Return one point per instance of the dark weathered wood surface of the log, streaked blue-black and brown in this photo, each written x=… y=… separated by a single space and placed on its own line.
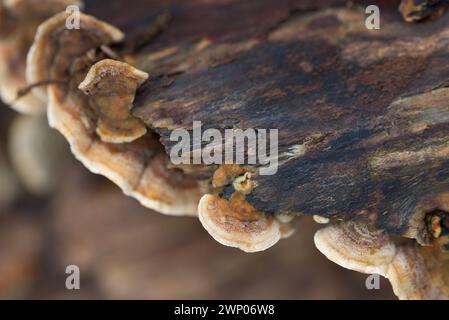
x=368 y=106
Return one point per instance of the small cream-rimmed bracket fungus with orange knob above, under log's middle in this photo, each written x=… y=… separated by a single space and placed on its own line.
x=236 y=223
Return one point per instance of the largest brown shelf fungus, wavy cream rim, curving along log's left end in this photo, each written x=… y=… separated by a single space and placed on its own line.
x=124 y=152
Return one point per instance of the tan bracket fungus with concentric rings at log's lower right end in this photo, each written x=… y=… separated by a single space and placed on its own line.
x=414 y=271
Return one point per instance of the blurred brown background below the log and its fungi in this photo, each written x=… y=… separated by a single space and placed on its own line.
x=125 y=251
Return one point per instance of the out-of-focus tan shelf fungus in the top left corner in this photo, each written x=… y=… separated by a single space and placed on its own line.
x=19 y=20
